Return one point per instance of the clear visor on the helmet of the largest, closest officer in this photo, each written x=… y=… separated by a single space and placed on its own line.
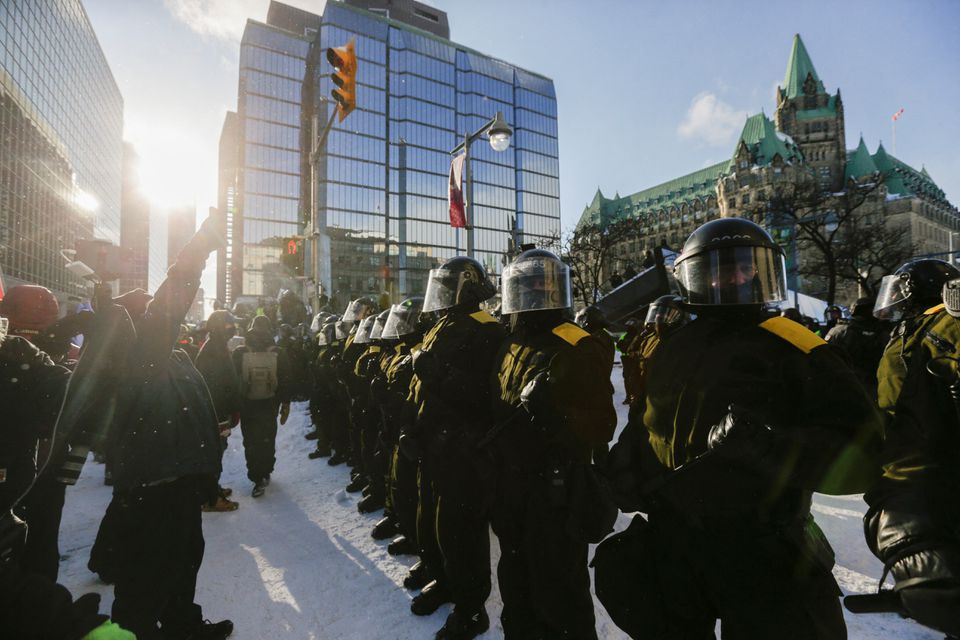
x=733 y=275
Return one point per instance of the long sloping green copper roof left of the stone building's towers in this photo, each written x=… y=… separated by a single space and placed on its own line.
x=700 y=185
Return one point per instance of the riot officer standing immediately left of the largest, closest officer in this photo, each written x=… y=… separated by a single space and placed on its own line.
x=553 y=405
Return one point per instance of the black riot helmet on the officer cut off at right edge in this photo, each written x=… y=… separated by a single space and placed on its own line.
x=914 y=287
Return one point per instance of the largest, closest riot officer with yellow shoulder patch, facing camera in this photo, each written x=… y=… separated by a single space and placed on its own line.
x=746 y=416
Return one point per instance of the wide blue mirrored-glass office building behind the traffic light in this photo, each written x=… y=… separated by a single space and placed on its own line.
x=374 y=203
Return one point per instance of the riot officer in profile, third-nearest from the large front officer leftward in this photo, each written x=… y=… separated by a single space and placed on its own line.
x=450 y=387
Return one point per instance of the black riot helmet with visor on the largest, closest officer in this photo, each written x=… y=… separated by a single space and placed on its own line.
x=731 y=262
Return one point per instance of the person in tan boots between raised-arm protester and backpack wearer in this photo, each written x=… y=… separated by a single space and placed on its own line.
x=215 y=365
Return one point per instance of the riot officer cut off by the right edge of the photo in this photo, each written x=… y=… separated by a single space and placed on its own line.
x=913 y=524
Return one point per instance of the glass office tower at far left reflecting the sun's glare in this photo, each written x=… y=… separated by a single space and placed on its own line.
x=61 y=125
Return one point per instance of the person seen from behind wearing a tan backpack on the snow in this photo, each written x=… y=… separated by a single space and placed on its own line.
x=265 y=380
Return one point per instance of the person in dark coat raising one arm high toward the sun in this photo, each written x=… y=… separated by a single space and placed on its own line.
x=165 y=448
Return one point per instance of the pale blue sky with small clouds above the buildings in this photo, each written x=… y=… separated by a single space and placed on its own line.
x=647 y=90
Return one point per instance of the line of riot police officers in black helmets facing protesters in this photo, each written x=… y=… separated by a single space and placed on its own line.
x=455 y=423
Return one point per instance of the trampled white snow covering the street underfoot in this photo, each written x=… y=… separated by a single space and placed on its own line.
x=300 y=563
